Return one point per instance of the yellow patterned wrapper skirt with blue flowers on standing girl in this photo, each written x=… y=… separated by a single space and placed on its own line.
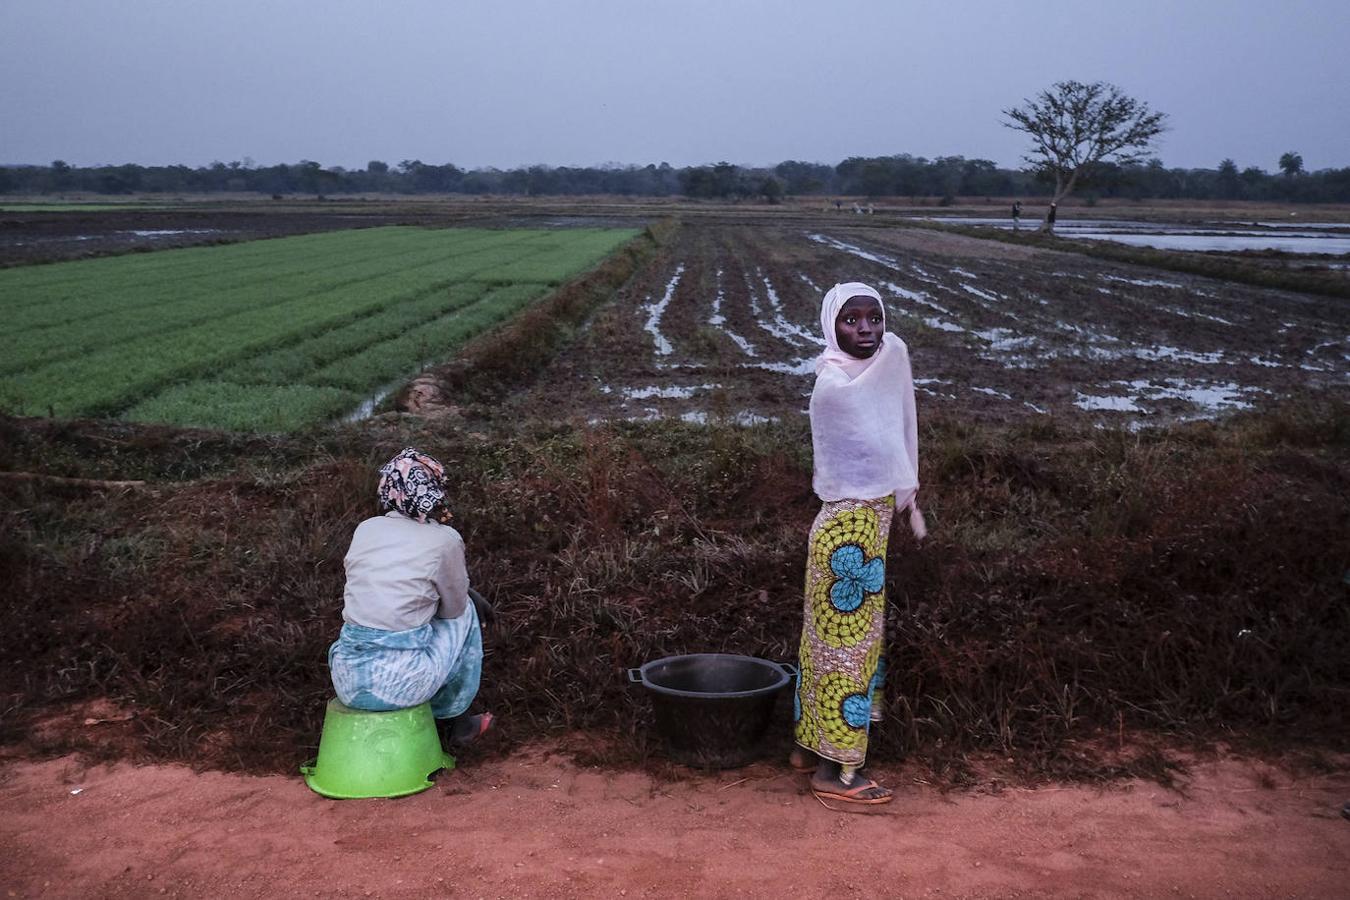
x=840 y=660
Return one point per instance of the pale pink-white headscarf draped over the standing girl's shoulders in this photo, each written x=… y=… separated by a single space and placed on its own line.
x=865 y=430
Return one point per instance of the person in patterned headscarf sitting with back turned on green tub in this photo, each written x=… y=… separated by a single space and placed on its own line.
x=411 y=629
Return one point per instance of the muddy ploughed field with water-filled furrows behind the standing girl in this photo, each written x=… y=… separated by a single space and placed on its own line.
x=726 y=327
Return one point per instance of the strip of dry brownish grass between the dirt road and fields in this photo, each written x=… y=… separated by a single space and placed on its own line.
x=1079 y=585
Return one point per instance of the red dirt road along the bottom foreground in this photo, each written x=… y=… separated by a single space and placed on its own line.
x=537 y=826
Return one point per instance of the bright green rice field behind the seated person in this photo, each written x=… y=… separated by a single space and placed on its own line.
x=269 y=335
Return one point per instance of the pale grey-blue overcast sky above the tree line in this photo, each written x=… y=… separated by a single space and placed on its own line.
x=510 y=83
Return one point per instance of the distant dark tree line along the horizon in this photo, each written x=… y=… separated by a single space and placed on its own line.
x=900 y=176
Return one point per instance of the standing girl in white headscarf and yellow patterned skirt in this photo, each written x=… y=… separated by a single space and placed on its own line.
x=865 y=435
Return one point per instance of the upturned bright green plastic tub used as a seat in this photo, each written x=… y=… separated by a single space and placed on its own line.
x=376 y=755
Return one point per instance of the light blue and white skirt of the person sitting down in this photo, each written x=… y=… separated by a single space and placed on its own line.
x=441 y=662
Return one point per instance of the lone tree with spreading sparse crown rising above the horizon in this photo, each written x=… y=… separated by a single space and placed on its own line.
x=1075 y=128
